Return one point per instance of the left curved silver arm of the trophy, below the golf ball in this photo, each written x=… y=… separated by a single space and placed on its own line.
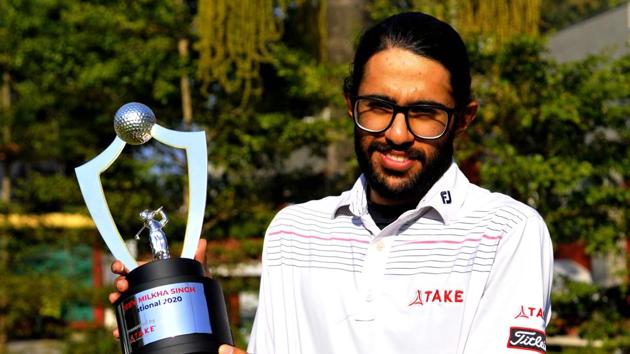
x=89 y=179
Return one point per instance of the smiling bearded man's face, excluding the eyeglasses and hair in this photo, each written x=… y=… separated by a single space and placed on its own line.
x=400 y=167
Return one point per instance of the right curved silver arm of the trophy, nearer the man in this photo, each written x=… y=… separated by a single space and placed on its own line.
x=197 y=160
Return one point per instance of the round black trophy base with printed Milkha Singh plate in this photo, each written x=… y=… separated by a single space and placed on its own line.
x=172 y=308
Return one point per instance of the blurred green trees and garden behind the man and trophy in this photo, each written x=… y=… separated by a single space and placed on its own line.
x=263 y=79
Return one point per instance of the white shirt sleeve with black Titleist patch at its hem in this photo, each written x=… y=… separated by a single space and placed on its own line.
x=515 y=306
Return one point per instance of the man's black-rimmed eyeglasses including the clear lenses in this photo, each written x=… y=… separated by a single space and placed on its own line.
x=425 y=121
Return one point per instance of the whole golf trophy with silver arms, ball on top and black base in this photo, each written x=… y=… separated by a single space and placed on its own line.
x=170 y=306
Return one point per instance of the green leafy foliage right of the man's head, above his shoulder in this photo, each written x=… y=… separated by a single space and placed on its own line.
x=556 y=136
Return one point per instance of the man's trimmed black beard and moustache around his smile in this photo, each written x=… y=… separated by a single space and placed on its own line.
x=414 y=186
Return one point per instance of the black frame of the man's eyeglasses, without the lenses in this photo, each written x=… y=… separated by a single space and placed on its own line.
x=405 y=111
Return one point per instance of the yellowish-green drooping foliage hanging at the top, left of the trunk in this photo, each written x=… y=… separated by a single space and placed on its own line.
x=234 y=40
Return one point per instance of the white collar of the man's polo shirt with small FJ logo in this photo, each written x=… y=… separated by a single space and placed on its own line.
x=446 y=196
